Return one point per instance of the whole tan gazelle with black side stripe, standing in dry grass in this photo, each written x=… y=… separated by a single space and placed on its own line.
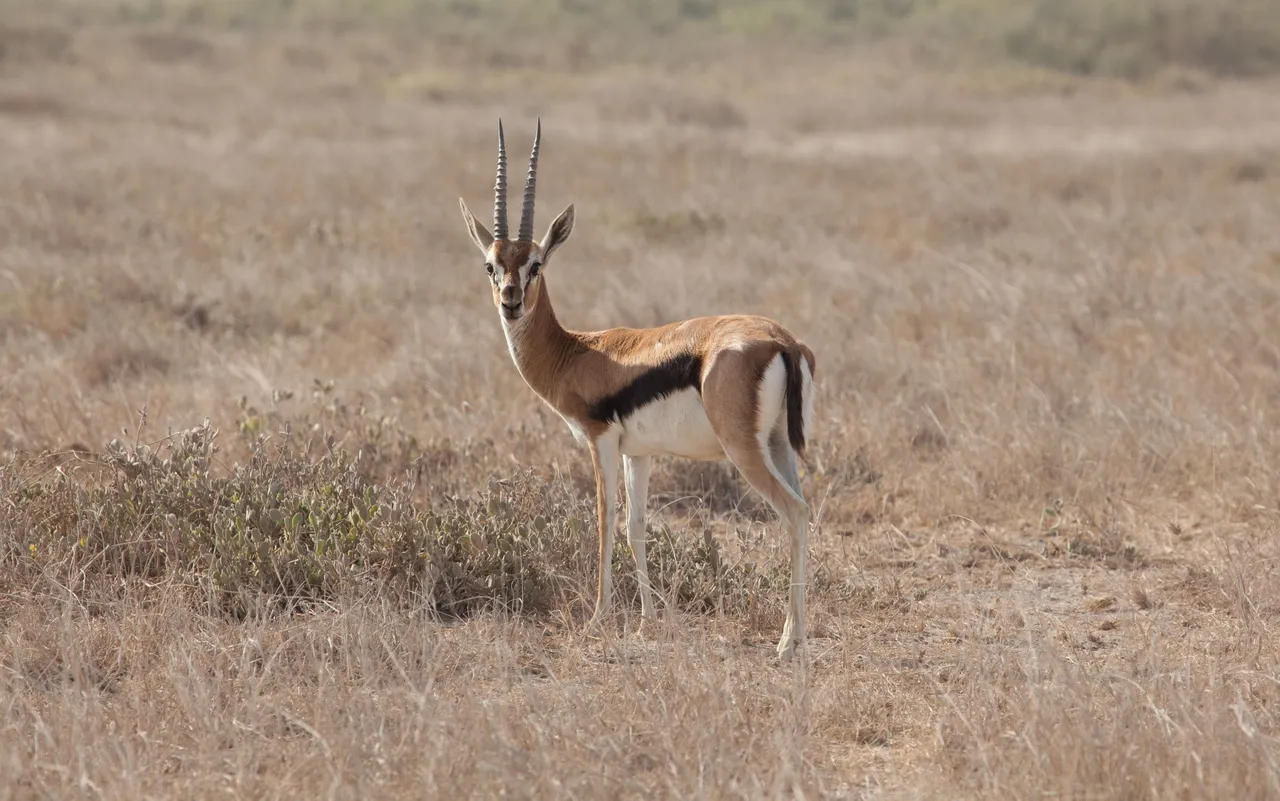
x=732 y=387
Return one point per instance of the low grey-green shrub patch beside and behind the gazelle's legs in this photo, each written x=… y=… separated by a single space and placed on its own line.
x=284 y=532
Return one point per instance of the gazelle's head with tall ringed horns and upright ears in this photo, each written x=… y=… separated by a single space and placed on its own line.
x=515 y=266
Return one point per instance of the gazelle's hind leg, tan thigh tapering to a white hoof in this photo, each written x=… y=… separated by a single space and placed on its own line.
x=751 y=422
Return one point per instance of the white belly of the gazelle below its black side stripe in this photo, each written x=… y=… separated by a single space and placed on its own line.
x=676 y=425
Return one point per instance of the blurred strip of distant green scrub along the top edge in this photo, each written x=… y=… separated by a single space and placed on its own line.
x=1124 y=39
